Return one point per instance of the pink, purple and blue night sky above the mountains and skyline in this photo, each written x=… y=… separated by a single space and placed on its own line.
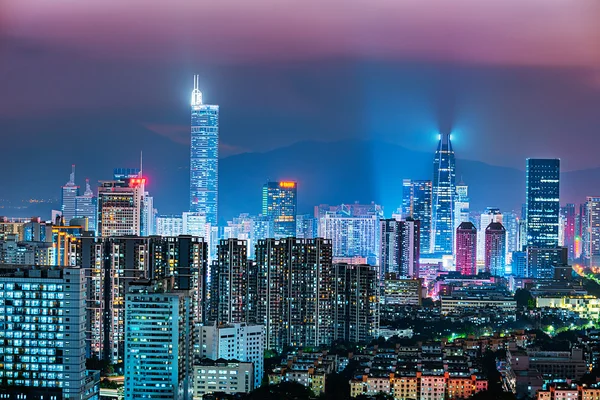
x=93 y=82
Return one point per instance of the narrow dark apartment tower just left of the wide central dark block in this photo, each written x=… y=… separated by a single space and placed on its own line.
x=229 y=297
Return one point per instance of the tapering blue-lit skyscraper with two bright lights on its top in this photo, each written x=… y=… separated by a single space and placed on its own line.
x=444 y=190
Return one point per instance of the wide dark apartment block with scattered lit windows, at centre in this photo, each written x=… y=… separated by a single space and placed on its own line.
x=293 y=290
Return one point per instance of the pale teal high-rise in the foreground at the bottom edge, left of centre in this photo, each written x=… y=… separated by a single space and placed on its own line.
x=158 y=341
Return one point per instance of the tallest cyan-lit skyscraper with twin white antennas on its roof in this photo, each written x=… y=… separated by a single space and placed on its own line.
x=204 y=157
